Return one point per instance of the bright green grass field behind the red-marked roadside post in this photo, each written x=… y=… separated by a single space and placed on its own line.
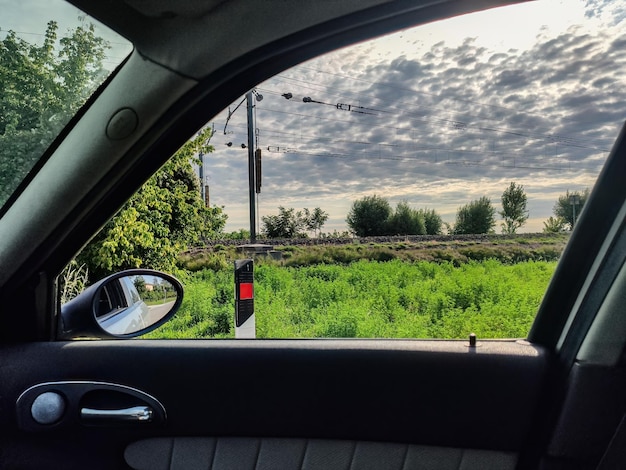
x=369 y=299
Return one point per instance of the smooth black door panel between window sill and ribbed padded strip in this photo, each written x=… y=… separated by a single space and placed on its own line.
x=430 y=393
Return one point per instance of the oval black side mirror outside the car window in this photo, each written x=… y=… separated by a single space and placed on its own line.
x=124 y=305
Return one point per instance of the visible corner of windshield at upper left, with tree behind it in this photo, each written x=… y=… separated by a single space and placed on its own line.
x=52 y=58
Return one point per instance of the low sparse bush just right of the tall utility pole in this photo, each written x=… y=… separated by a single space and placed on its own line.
x=290 y=223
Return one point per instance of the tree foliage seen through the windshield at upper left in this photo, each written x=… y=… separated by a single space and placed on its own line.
x=39 y=92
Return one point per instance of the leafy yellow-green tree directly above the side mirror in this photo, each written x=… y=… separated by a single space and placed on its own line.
x=164 y=217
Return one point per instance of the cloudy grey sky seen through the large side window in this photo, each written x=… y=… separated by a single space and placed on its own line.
x=438 y=116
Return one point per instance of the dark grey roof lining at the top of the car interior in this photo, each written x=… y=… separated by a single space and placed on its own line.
x=203 y=48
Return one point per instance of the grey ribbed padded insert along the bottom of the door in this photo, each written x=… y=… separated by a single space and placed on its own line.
x=223 y=453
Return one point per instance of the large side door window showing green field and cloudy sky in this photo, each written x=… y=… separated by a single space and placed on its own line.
x=421 y=185
